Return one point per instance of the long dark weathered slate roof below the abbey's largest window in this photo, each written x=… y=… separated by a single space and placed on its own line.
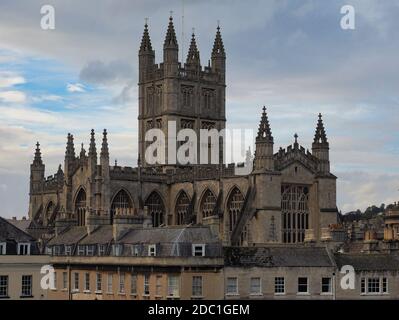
x=277 y=257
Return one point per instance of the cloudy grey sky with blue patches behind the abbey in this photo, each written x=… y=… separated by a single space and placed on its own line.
x=291 y=56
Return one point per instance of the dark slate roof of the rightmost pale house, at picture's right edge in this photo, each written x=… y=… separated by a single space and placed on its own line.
x=368 y=261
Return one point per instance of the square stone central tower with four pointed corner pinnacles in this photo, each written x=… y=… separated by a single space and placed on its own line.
x=187 y=93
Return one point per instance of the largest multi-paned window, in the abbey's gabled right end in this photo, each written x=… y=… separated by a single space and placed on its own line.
x=295 y=210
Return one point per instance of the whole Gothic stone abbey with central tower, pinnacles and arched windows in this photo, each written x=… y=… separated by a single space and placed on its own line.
x=288 y=198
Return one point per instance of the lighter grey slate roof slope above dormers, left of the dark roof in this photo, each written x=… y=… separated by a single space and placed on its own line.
x=169 y=235
